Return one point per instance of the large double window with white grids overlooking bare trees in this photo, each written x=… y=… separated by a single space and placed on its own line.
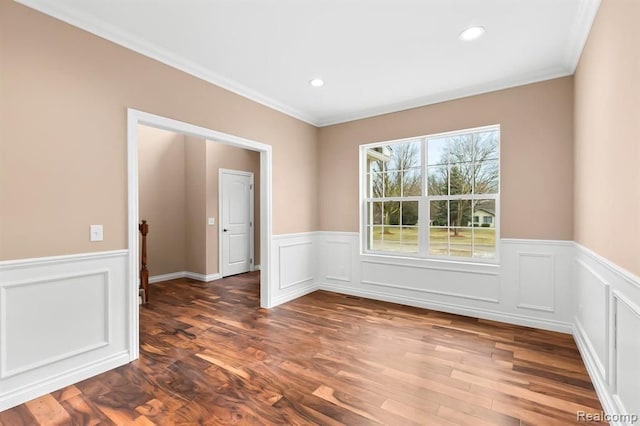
x=433 y=196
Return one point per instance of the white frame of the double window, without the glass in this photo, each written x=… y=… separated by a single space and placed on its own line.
x=424 y=201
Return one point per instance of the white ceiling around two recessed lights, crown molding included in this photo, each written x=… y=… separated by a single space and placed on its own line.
x=375 y=56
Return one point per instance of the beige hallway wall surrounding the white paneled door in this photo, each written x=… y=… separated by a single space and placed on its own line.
x=220 y=156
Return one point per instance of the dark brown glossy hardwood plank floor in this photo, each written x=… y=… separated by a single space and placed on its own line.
x=209 y=355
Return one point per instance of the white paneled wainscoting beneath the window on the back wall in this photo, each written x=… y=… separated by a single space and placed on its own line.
x=530 y=286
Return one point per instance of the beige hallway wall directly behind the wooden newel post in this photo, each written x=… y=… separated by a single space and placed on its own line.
x=162 y=199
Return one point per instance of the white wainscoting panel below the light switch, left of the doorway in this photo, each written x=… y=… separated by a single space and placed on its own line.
x=62 y=319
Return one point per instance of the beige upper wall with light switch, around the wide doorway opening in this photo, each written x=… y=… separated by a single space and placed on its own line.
x=63 y=164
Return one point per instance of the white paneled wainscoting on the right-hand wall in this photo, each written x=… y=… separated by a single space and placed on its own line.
x=607 y=320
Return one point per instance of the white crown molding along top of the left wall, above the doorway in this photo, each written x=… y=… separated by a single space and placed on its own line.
x=141 y=46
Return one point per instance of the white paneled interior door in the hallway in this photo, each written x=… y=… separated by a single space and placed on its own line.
x=236 y=202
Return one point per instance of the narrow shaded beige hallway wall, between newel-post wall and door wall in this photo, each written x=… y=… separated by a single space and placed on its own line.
x=196 y=204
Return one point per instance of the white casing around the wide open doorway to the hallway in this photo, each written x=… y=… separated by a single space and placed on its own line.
x=134 y=119
